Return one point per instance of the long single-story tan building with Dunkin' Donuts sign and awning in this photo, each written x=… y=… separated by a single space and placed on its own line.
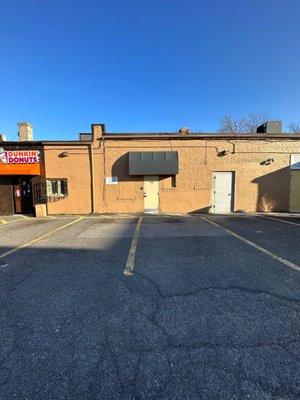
x=166 y=172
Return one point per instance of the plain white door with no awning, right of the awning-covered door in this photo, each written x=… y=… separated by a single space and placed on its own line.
x=222 y=192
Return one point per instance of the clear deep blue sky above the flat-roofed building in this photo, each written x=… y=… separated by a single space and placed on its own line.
x=146 y=65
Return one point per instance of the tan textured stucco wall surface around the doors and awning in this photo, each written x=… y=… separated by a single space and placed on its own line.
x=257 y=187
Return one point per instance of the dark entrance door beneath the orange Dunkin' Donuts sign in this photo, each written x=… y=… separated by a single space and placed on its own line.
x=23 y=195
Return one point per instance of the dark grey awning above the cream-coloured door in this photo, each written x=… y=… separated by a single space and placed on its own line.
x=153 y=163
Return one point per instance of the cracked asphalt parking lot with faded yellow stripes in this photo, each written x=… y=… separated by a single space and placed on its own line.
x=150 y=307
